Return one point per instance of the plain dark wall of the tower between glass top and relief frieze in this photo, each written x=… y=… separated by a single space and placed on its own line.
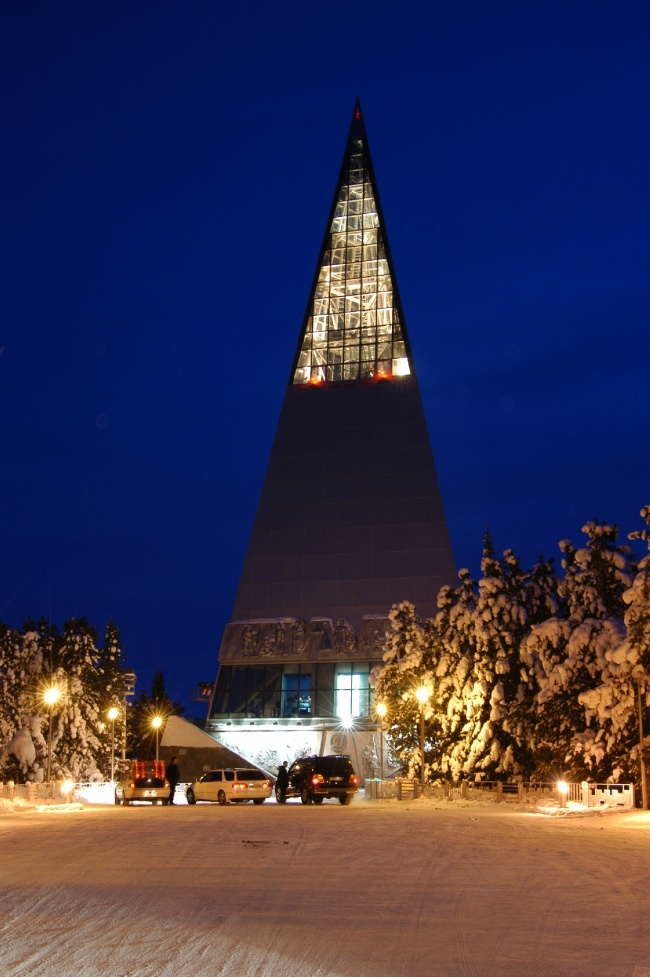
x=350 y=518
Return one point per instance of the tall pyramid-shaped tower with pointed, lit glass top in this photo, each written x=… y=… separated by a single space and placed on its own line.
x=350 y=518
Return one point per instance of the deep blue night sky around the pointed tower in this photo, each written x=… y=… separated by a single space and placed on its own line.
x=167 y=172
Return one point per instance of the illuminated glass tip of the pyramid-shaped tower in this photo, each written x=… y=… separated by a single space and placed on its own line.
x=353 y=329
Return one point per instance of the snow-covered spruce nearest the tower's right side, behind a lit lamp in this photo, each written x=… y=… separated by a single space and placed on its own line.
x=408 y=665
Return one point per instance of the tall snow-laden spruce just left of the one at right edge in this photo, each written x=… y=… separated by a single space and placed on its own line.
x=568 y=657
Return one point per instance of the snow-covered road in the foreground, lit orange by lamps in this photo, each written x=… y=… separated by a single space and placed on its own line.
x=373 y=890
